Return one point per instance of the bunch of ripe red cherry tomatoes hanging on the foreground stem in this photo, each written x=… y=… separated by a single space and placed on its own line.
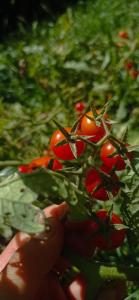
x=101 y=181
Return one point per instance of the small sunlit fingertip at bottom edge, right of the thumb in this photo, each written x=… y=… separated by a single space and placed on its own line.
x=76 y=290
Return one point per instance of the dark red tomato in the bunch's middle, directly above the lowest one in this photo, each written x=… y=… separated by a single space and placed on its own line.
x=94 y=179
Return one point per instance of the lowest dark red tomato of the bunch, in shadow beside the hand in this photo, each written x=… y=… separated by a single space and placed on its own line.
x=108 y=237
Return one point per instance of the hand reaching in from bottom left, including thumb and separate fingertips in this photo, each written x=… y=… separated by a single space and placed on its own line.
x=26 y=265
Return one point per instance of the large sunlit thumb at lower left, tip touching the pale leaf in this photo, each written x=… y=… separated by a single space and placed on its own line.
x=26 y=260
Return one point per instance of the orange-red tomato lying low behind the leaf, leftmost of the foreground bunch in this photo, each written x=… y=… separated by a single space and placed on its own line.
x=44 y=162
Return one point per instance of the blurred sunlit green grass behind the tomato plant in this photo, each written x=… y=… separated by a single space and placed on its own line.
x=57 y=54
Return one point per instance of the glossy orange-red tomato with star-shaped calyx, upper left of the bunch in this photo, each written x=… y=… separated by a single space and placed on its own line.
x=64 y=152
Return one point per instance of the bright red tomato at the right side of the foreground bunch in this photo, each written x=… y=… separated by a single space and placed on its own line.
x=116 y=161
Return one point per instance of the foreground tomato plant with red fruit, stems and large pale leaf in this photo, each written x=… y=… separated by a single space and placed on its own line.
x=88 y=231
